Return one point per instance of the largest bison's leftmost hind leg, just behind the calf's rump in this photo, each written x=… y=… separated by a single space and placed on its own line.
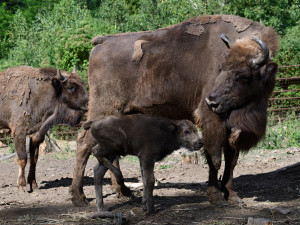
x=85 y=142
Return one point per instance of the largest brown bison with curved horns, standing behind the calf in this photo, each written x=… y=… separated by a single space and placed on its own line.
x=183 y=72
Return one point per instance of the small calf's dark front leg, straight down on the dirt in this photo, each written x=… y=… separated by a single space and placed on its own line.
x=147 y=167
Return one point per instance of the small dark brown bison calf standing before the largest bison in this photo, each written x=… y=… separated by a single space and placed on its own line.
x=147 y=137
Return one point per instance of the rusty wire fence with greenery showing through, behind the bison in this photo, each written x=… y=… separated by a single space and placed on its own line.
x=284 y=101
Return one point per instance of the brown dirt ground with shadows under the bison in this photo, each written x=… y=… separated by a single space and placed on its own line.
x=264 y=180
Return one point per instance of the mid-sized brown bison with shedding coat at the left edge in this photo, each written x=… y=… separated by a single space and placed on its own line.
x=32 y=101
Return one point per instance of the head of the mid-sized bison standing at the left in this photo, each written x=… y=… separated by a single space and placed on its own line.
x=70 y=89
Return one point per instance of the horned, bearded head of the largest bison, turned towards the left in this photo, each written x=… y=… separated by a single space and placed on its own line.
x=246 y=76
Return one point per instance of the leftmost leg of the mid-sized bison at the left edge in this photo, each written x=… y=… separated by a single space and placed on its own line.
x=21 y=160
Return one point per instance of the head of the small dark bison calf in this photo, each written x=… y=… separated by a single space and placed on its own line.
x=188 y=135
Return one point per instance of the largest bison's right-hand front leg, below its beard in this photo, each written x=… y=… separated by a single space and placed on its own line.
x=231 y=157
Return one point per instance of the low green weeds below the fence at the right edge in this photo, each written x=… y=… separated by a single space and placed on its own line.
x=282 y=134
